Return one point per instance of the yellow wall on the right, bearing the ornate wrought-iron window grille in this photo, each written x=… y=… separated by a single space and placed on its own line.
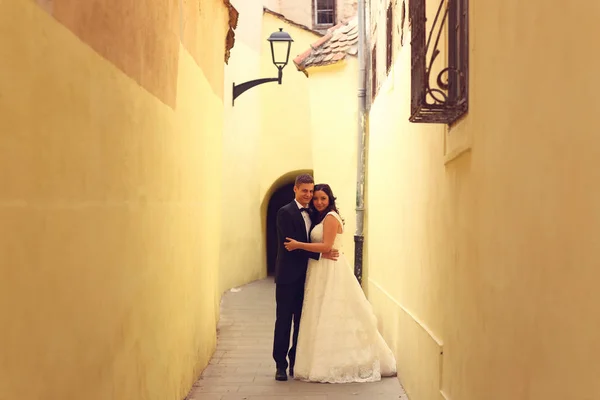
x=483 y=242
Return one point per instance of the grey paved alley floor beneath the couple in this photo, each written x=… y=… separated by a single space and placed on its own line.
x=242 y=367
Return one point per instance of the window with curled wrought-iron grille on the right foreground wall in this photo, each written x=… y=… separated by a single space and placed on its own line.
x=439 y=76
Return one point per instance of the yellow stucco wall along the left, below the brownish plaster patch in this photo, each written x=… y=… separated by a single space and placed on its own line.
x=109 y=218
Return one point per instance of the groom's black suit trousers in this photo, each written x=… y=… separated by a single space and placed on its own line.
x=289 y=298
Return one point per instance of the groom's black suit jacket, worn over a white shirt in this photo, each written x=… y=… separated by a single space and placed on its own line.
x=290 y=266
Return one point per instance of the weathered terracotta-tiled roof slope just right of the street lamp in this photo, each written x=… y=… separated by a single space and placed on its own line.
x=339 y=40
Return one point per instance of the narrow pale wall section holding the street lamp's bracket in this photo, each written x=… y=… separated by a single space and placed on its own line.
x=242 y=258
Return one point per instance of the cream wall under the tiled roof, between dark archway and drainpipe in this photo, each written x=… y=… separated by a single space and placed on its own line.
x=334 y=119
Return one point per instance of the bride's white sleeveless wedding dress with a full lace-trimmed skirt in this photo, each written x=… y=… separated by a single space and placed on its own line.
x=338 y=340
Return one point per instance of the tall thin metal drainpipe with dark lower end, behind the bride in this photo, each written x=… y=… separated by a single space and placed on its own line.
x=362 y=134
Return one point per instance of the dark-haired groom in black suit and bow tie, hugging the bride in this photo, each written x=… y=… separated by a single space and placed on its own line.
x=293 y=220
